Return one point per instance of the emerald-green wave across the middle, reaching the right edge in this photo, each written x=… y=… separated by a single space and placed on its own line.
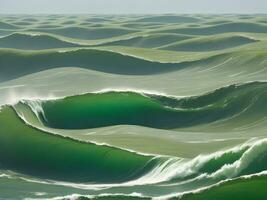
x=242 y=103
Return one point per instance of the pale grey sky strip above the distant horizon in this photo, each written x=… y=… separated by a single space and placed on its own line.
x=132 y=6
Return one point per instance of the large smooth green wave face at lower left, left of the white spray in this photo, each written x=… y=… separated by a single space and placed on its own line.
x=33 y=152
